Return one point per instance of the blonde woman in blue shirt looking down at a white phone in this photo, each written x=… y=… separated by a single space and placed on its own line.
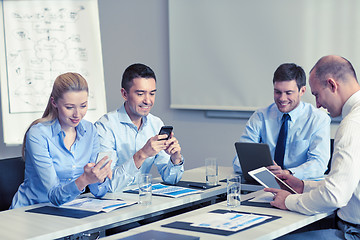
x=60 y=149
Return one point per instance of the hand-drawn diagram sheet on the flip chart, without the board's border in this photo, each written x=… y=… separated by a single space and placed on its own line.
x=42 y=41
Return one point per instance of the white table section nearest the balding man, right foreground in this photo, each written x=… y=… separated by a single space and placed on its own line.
x=288 y=222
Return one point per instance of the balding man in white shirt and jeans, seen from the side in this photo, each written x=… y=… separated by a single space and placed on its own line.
x=333 y=83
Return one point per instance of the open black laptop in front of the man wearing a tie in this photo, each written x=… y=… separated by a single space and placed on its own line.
x=252 y=156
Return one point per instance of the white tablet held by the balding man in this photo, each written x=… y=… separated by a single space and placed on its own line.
x=269 y=180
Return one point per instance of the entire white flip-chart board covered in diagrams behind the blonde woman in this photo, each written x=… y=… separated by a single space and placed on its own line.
x=40 y=40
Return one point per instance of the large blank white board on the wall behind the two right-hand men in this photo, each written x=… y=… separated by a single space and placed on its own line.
x=223 y=53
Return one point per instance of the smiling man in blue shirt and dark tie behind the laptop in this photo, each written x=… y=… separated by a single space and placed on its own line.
x=307 y=150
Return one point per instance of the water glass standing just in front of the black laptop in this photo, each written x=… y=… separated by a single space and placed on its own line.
x=233 y=190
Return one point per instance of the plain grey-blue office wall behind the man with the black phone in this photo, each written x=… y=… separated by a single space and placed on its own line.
x=137 y=31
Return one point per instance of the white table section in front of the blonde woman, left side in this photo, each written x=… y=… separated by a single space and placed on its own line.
x=18 y=224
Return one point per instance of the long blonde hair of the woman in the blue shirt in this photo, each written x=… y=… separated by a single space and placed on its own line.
x=63 y=83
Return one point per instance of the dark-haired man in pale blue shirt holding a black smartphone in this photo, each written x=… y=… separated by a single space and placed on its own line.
x=133 y=133
